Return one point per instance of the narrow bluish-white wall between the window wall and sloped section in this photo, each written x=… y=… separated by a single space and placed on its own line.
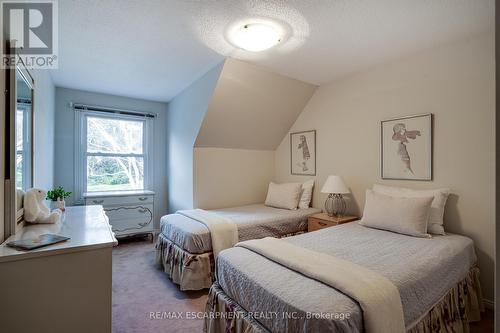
x=185 y=115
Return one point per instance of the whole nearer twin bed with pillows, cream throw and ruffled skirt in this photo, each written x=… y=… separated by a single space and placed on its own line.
x=435 y=274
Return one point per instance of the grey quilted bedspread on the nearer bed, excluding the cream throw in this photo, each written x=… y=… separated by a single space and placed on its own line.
x=423 y=270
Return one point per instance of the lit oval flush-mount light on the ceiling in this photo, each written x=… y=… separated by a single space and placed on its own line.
x=256 y=36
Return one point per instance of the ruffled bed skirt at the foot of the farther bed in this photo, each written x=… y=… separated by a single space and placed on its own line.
x=189 y=271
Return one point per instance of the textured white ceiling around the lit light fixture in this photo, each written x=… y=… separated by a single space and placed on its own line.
x=153 y=49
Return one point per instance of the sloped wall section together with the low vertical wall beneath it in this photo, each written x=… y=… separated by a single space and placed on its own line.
x=250 y=111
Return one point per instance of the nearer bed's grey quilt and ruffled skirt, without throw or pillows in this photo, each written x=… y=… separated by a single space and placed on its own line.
x=436 y=278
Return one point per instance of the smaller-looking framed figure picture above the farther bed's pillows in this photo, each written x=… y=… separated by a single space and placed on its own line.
x=303 y=153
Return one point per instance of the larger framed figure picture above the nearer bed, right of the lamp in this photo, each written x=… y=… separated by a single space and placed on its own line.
x=406 y=147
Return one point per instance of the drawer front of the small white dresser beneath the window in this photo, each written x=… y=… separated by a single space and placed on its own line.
x=130 y=219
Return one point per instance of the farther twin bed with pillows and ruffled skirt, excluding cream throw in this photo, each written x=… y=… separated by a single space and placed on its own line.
x=184 y=246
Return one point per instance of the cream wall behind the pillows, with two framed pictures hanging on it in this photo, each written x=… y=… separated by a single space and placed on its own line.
x=456 y=83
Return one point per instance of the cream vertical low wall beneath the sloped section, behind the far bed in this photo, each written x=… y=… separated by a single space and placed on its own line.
x=231 y=177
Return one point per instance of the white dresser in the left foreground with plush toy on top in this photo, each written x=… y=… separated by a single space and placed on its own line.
x=65 y=287
